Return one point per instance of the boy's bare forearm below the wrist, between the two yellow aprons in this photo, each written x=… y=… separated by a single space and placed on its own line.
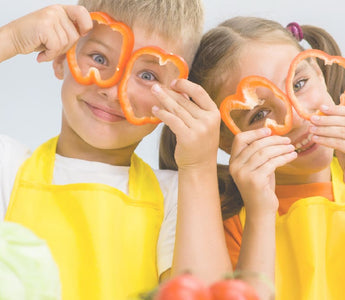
x=200 y=246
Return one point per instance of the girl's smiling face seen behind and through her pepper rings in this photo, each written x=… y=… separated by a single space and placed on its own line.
x=272 y=61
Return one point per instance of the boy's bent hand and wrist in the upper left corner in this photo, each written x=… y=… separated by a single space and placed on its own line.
x=50 y=31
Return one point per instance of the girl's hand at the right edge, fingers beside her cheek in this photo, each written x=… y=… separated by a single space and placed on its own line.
x=329 y=130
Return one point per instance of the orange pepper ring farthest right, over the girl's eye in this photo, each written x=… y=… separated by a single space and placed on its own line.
x=328 y=59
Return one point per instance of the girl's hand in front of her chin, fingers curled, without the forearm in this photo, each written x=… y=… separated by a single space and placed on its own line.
x=255 y=155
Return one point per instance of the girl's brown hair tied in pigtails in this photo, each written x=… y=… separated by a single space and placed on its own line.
x=216 y=60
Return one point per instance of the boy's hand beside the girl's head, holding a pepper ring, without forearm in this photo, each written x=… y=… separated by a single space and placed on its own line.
x=195 y=123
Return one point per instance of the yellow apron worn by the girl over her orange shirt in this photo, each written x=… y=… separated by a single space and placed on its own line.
x=310 y=244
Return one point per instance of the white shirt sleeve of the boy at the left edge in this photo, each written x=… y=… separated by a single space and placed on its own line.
x=12 y=155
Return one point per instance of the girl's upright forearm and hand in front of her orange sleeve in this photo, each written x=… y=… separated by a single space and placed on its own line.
x=254 y=157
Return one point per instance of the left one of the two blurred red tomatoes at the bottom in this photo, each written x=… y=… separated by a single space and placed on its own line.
x=184 y=287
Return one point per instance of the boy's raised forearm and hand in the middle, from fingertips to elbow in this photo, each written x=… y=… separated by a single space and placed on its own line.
x=200 y=243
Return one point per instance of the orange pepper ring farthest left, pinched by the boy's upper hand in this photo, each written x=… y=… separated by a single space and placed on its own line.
x=93 y=76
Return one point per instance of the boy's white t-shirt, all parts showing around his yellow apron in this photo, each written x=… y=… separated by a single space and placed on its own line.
x=70 y=170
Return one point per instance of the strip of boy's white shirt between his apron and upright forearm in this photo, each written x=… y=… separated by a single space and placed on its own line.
x=165 y=248
